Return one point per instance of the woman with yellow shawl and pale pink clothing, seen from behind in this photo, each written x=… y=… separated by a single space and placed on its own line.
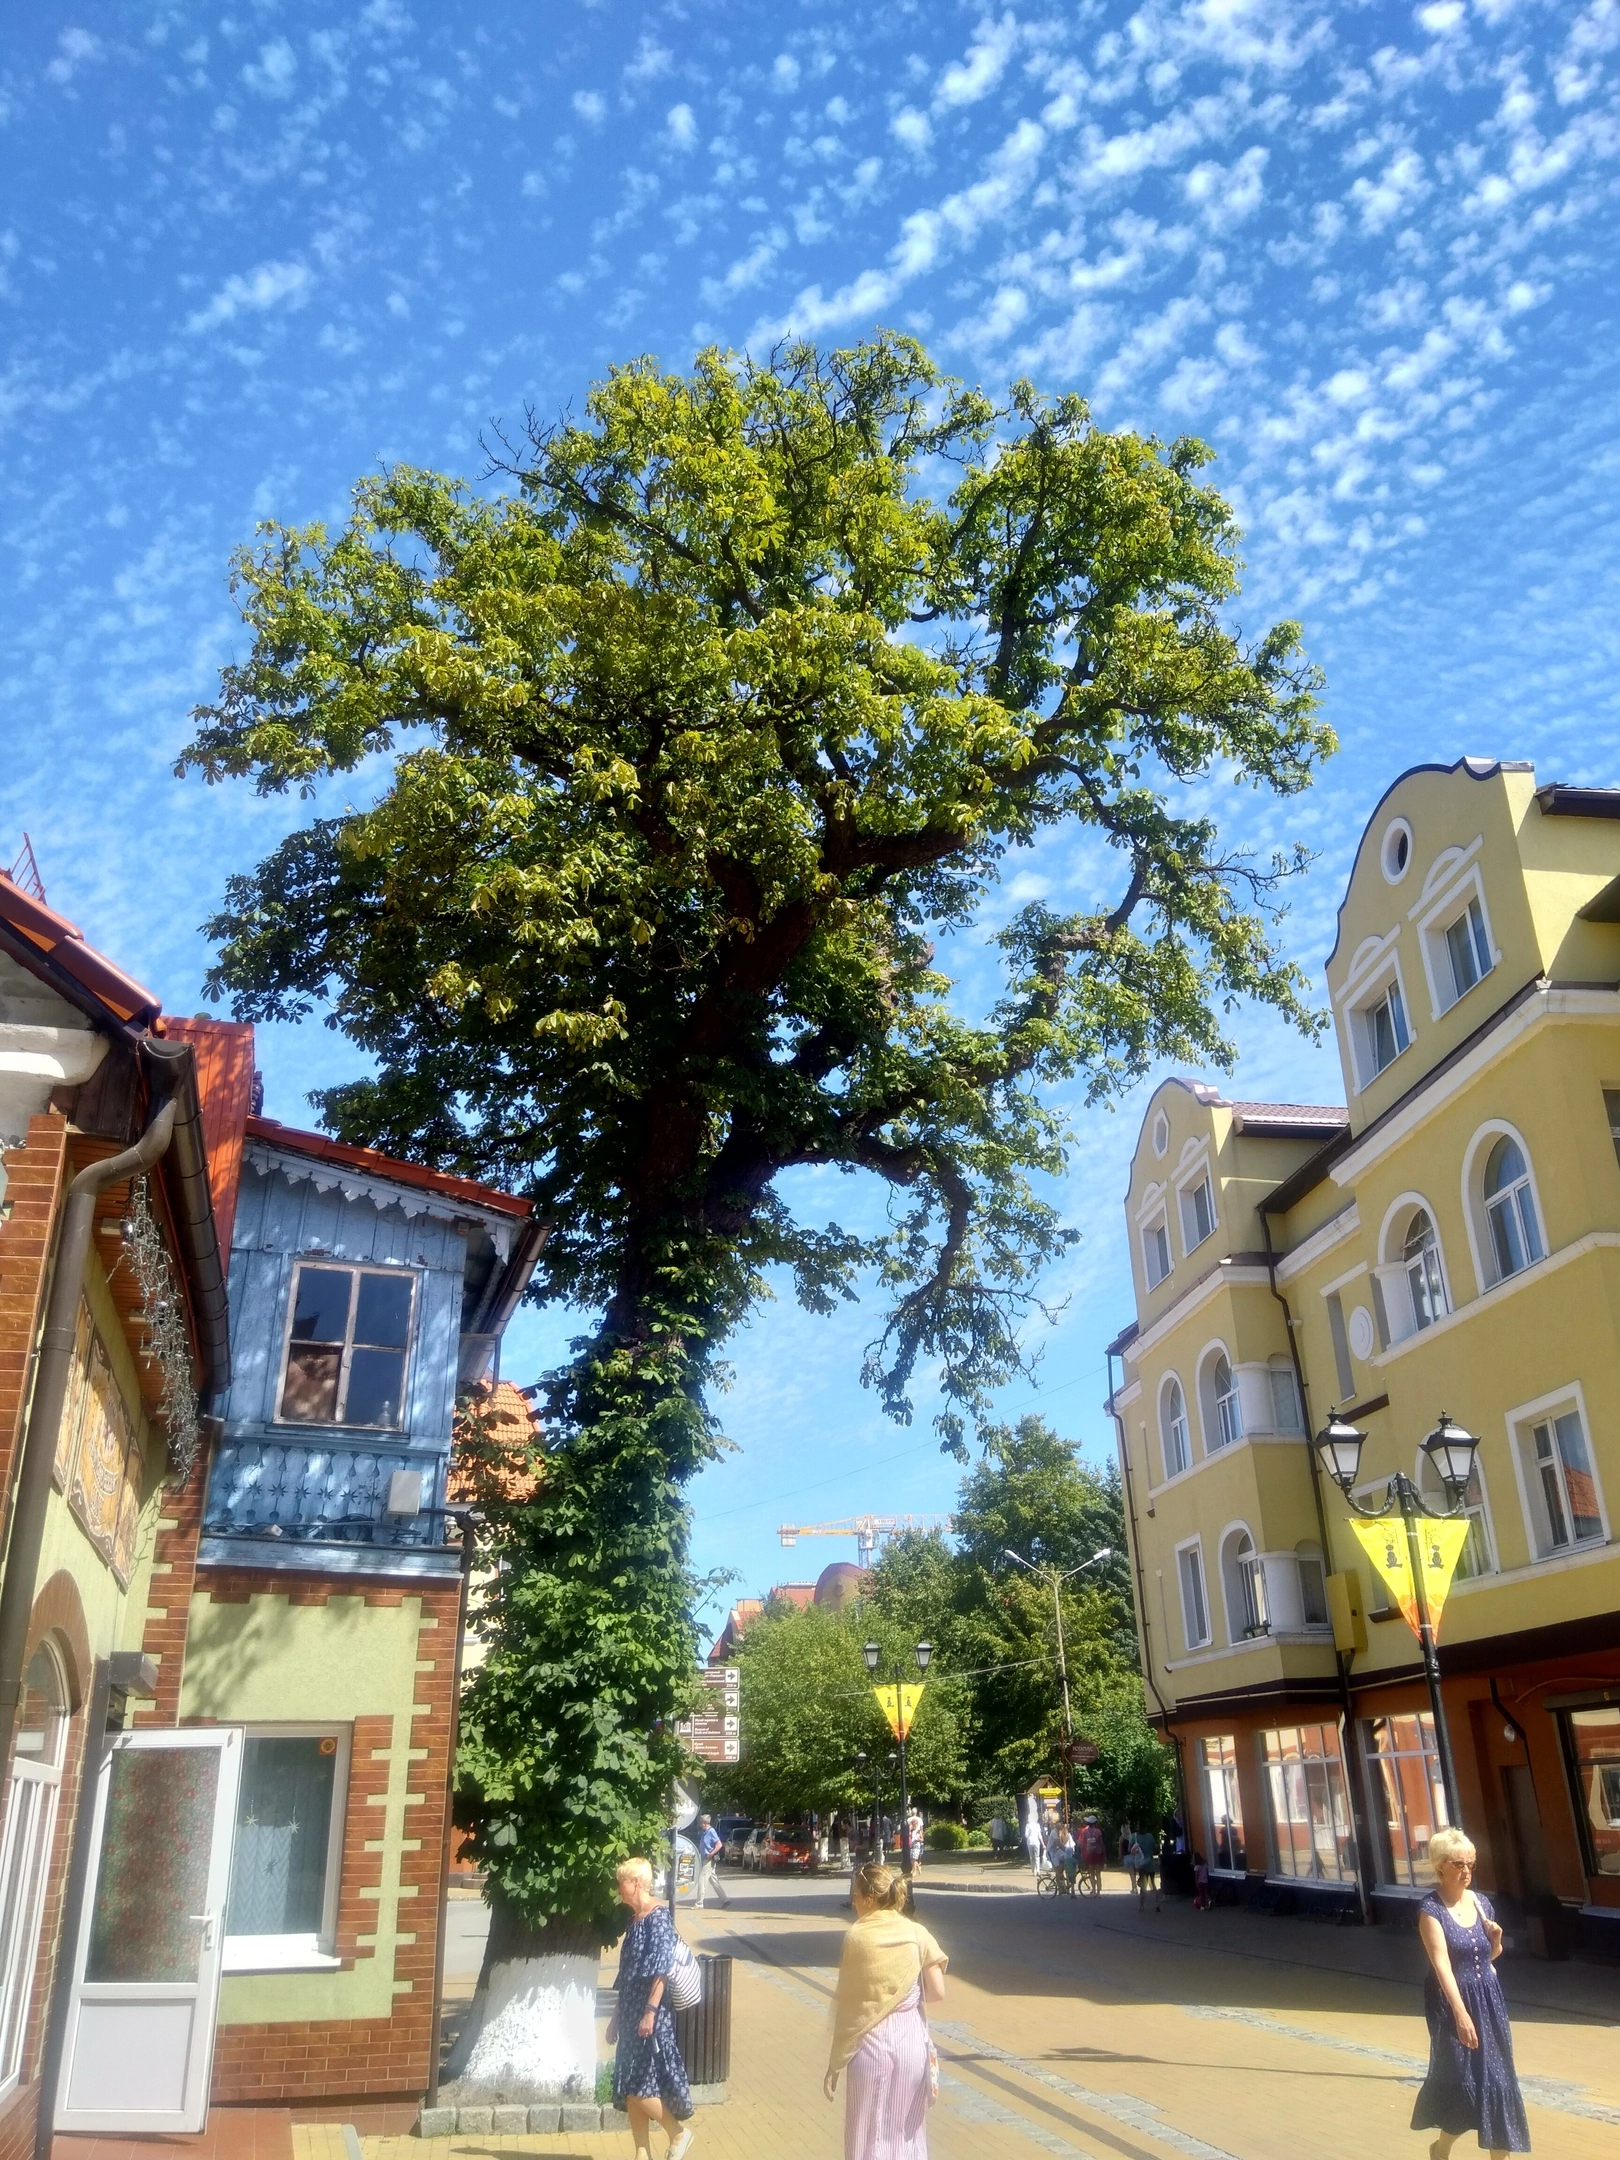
x=880 y=2031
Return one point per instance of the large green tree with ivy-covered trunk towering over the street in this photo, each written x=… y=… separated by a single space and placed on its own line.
x=690 y=740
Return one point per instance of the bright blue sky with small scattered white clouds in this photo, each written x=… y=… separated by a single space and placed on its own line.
x=1366 y=252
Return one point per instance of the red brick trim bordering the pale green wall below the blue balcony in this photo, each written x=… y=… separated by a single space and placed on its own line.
x=368 y=2060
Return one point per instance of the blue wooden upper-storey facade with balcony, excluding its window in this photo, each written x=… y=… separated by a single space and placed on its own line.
x=293 y=1491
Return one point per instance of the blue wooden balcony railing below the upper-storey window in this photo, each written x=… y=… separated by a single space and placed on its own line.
x=321 y=1496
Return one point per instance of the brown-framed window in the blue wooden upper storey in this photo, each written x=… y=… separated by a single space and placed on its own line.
x=347 y=1347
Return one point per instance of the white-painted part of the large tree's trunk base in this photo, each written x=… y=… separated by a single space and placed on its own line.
x=530 y=2036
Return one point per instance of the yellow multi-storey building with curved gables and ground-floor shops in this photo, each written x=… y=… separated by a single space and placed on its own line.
x=1448 y=1243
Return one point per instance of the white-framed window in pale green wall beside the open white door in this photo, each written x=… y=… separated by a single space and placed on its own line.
x=282 y=1906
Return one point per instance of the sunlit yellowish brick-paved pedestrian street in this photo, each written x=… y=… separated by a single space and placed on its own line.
x=1098 y=2031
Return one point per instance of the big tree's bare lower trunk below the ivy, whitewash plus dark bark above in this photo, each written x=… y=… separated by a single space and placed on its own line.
x=532 y=2029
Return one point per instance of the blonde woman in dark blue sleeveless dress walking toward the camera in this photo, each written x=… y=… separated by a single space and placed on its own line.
x=1472 y=2081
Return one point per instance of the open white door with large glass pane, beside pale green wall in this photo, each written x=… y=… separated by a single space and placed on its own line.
x=148 y=1960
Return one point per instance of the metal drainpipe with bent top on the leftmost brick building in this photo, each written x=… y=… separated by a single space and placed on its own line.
x=51 y=1394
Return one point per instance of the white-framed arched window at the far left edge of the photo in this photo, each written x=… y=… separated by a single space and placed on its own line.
x=25 y=1846
